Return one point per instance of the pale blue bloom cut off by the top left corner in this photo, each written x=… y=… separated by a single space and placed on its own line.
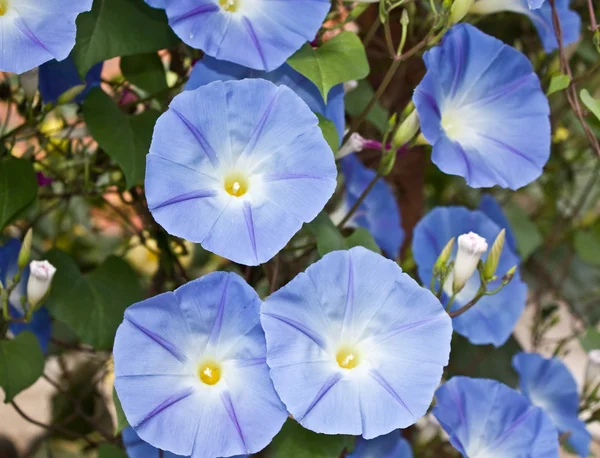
x=36 y=31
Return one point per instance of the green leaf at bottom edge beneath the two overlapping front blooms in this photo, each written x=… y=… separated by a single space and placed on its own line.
x=294 y=441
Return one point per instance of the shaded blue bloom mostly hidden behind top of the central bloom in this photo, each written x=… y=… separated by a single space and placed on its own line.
x=209 y=69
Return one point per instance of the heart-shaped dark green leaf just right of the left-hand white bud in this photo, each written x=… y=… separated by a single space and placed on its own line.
x=92 y=305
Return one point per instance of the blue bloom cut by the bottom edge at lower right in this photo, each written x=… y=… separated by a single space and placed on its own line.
x=485 y=418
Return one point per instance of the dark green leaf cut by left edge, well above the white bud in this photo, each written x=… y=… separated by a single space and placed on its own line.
x=18 y=188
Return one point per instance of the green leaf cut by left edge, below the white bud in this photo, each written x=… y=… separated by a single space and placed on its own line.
x=21 y=364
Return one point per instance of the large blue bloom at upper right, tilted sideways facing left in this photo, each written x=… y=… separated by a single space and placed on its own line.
x=483 y=110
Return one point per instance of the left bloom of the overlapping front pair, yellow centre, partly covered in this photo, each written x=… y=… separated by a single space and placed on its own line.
x=190 y=370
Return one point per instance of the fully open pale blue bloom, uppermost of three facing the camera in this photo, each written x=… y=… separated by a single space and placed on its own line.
x=238 y=166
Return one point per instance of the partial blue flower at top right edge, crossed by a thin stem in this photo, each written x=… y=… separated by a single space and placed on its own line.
x=540 y=13
